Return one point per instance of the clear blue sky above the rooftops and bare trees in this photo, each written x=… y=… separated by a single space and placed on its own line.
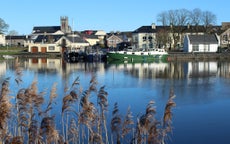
x=118 y=15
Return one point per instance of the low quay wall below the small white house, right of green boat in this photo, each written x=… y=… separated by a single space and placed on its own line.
x=181 y=56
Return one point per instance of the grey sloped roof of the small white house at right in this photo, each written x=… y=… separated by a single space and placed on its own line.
x=203 y=39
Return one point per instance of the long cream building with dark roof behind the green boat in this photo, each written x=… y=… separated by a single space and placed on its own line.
x=167 y=36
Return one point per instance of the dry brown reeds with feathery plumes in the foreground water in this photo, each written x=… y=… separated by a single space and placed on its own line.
x=82 y=121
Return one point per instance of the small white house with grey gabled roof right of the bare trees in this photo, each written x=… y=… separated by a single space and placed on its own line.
x=201 y=43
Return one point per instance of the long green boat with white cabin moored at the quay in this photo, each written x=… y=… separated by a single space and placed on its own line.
x=134 y=56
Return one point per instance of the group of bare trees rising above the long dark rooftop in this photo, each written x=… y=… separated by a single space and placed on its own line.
x=174 y=22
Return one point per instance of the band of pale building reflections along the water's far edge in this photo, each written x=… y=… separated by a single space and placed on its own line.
x=171 y=70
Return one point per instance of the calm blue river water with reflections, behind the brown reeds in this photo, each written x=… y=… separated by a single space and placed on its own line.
x=202 y=89
